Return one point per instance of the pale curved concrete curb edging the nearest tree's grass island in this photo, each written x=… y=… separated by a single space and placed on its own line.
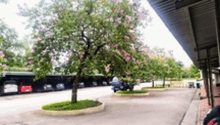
x=74 y=112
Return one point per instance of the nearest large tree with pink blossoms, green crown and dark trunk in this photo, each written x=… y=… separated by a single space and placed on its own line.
x=80 y=36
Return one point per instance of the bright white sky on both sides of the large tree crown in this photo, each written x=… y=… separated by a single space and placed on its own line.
x=155 y=34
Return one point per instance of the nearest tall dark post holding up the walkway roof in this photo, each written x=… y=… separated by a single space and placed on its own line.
x=210 y=77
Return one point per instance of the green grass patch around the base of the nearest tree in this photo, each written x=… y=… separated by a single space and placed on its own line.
x=67 y=105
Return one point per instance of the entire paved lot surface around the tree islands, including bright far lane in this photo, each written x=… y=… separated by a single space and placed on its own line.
x=159 y=108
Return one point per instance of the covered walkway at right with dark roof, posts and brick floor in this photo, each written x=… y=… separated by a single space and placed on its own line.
x=196 y=26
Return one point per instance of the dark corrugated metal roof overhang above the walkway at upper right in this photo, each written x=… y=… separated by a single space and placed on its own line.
x=193 y=24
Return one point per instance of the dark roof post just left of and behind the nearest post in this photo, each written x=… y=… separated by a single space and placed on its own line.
x=206 y=83
